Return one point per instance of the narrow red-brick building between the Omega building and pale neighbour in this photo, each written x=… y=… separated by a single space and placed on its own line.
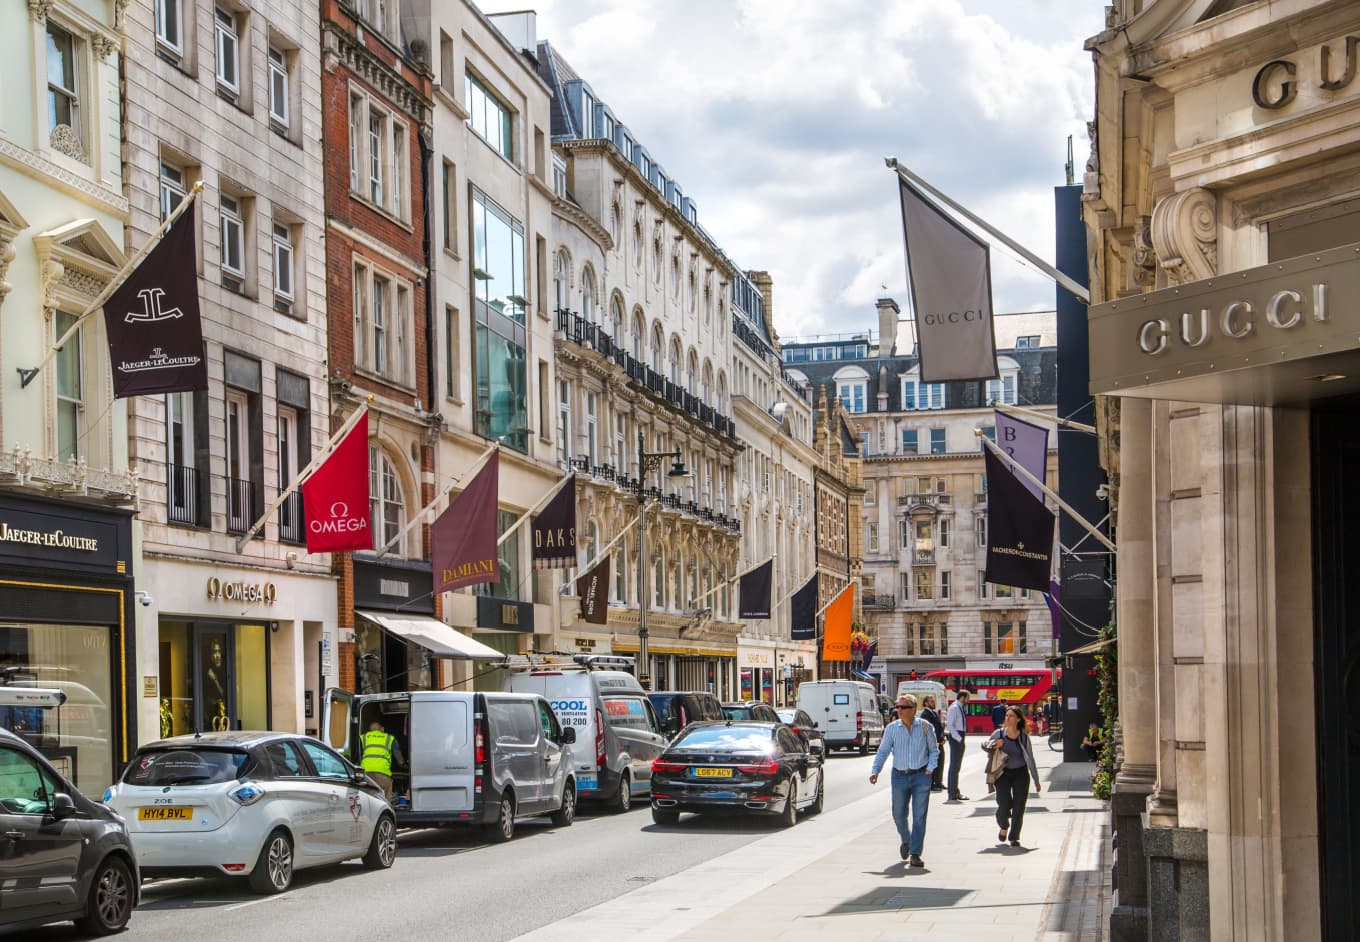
x=376 y=107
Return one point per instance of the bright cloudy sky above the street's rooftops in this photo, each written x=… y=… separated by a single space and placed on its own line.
x=776 y=116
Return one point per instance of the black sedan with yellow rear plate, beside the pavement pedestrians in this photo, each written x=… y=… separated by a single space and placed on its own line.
x=736 y=769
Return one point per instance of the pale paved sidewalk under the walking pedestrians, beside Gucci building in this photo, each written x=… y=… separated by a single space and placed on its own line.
x=838 y=876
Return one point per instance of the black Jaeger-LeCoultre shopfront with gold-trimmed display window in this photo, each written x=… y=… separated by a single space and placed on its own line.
x=66 y=623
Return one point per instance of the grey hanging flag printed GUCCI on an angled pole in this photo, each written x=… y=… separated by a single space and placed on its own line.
x=951 y=293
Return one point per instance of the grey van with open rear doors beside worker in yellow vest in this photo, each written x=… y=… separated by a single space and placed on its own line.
x=471 y=758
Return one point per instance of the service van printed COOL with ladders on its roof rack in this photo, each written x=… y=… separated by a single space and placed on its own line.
x=618 y=732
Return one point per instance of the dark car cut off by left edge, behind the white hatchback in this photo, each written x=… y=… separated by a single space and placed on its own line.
x=62 y=856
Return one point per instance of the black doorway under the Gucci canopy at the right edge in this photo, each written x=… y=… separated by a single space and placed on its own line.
x=1336 y=540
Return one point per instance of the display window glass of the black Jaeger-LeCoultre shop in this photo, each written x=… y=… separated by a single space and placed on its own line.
x=77 y=660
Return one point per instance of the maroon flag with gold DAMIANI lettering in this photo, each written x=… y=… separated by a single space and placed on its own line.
x=463 y=542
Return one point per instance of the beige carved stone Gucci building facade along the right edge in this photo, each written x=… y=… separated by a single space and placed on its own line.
x=1223 y=207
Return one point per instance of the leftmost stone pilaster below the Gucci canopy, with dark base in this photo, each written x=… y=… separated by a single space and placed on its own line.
x=1138 y=671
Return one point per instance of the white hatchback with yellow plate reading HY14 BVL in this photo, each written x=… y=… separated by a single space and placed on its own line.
x=255 y=805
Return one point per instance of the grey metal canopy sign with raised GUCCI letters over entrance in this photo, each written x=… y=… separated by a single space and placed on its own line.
x=1283 y=334
